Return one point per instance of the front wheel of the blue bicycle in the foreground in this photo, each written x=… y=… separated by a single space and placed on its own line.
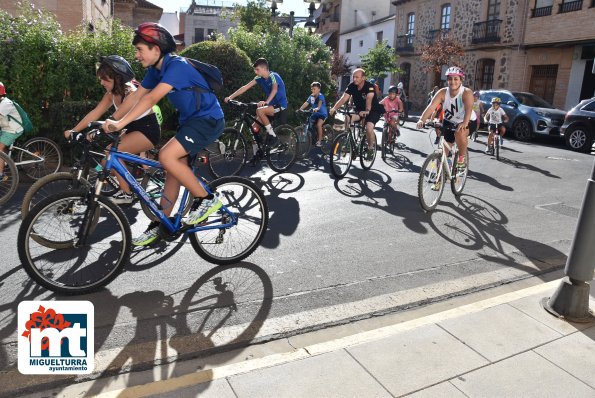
x=52 y=280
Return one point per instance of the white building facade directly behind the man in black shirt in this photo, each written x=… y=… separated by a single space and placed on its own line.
x=363 y=25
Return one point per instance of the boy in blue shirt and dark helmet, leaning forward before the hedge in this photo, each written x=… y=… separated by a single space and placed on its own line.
x=274 y=88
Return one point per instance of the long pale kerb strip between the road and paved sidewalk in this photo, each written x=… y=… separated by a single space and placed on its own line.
x=204 y=376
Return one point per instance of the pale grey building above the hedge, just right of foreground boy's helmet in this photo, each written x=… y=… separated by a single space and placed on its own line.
x=201 y=21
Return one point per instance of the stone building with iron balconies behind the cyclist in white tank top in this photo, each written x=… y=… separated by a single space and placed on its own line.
x=491 y=32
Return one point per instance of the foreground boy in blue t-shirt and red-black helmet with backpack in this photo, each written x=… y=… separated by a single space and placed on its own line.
x=201 y=120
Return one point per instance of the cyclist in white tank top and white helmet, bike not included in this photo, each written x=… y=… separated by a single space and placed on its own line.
x=457 y=101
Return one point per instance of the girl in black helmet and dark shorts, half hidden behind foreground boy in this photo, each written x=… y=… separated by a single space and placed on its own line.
x=116 y=76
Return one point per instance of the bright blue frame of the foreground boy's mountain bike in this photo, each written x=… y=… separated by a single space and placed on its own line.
x=113 y=163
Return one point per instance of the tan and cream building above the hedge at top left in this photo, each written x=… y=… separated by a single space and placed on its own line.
x=95 y=14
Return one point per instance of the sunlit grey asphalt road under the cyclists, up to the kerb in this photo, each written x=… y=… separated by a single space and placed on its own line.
x=335 y=251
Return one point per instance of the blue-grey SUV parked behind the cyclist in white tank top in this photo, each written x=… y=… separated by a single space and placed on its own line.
x=528 y=114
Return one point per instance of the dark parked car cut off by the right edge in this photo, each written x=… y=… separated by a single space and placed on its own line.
x=579 y=126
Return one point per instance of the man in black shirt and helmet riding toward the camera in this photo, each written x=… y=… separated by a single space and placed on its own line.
x=365 y=102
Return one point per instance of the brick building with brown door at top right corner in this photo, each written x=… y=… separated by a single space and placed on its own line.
x=559 y=49
